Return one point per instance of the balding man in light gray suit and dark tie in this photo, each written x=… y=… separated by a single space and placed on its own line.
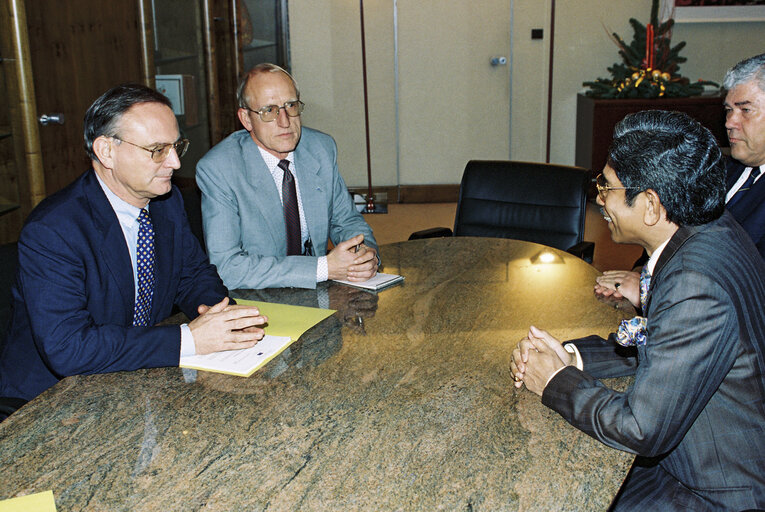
x=272 y=197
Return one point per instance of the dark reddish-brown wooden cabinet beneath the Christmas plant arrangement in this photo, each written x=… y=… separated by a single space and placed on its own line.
x=596 y=118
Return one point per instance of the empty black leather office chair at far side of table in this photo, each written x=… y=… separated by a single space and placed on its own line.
x=529 y=201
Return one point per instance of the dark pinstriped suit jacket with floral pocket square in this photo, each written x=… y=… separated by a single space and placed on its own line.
x=697 y=403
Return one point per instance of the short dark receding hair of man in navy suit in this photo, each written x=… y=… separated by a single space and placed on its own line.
x=105 y=113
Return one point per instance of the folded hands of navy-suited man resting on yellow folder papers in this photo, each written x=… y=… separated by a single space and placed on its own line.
x=226 y=327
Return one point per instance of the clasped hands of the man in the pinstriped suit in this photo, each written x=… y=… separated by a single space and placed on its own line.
x=536 y=358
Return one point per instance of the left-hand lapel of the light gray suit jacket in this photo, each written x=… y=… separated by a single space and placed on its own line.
x=266 y=196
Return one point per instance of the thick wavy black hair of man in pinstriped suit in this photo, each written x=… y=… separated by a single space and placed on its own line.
x=672 y=154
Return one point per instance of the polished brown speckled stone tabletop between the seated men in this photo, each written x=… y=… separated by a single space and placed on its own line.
x=400 y=401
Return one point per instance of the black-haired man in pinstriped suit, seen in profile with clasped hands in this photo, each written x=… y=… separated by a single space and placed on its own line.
x=695 y=413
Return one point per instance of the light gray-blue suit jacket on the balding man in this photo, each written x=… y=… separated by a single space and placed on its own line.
x=244 y=220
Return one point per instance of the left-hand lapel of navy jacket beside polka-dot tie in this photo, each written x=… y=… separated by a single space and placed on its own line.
x=114 y=250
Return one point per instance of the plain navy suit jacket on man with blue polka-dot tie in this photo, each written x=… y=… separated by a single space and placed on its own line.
x=74 y=293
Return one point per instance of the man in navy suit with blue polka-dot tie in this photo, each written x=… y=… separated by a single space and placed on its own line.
x=106 y=258
